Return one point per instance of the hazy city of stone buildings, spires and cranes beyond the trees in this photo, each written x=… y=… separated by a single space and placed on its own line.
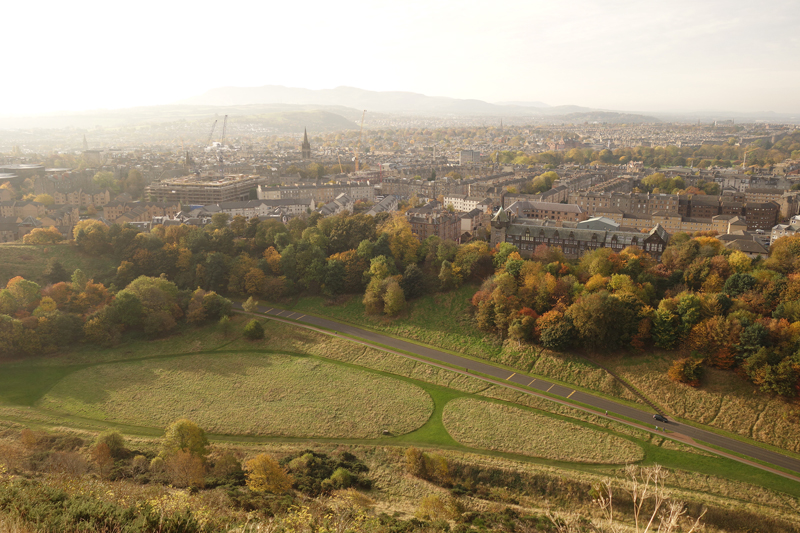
x=451 y=182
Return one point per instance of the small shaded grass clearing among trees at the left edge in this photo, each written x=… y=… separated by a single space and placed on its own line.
x=31 y=261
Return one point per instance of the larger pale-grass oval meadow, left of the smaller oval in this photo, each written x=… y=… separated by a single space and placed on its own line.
x=244 y=394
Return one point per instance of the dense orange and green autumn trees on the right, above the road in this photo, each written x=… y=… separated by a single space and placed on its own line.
x=713 y=305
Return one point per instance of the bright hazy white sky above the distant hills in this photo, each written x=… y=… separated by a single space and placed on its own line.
x=736 y=55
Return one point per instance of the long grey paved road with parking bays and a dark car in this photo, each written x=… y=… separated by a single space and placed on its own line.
x=601 y=404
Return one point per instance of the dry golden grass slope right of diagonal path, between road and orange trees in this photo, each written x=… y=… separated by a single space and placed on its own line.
x=724 y=400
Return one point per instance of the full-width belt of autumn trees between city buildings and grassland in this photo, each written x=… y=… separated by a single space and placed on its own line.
x=713 y=305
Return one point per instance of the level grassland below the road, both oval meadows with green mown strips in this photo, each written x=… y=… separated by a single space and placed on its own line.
x=282 y=386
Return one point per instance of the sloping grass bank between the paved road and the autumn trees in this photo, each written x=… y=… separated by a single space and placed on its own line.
x=725 y=401
